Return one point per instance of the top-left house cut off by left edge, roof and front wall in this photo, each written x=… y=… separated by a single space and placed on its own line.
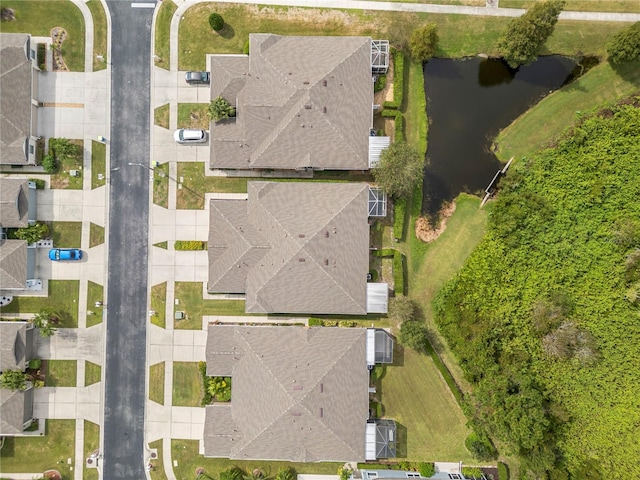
x=18 y=105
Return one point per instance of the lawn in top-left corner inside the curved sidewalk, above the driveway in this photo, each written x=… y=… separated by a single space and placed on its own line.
x=38 y=17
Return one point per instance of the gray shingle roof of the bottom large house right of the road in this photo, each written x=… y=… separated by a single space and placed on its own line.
x=298 y=394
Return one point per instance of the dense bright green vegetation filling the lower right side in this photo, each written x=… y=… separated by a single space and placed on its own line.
x=539 y=316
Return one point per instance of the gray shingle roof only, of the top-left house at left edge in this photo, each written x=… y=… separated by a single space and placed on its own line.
x=15 y=97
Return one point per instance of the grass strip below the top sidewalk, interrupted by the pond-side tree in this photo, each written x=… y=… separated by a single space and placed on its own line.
x=459 y=35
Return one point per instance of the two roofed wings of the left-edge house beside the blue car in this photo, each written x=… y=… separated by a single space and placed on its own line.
x=17 y=210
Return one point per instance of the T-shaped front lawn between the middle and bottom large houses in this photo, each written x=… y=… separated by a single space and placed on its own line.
x=191 y=302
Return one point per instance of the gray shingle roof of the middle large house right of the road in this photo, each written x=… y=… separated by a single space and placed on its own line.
x=292 y=247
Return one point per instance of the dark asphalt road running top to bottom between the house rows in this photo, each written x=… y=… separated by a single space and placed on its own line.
x=124 y=403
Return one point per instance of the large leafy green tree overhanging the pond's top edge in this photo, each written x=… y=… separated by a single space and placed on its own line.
x=525 y=35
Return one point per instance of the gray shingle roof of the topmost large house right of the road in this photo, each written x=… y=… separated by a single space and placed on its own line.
x=301 y=102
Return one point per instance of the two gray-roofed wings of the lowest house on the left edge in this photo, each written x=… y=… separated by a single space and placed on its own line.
x=16 y=349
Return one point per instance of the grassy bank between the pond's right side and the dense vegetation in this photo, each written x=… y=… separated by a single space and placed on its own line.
x=538 y=126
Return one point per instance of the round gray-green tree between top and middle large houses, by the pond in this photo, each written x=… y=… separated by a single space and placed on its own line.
x=399 y=170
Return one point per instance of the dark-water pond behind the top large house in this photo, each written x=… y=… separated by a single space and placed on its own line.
x=468 y=103
